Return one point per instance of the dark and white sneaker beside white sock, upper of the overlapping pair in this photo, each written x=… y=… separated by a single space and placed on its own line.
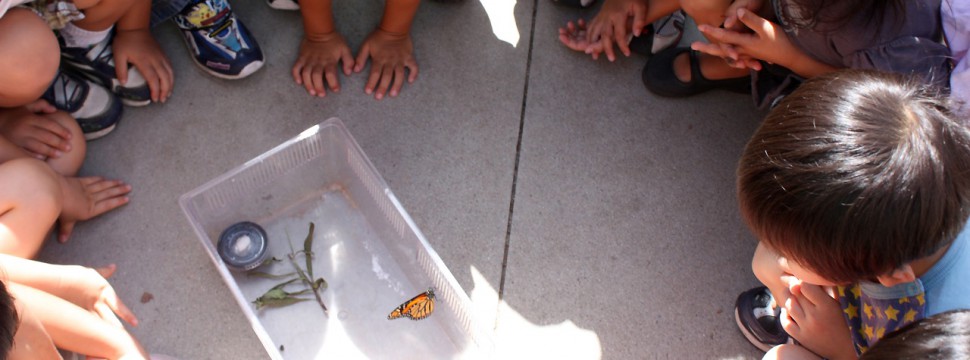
x=96 y=62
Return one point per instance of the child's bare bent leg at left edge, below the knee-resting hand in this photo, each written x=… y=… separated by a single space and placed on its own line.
x=30 y=202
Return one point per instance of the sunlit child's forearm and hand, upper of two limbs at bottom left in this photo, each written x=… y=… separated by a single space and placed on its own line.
x=84 y=287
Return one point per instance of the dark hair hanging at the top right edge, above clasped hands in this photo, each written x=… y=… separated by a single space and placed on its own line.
x=833 y=15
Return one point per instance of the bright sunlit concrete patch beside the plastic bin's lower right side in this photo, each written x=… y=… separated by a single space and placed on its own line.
x=518 y=338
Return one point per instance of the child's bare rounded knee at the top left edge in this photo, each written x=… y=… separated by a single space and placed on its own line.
x=29 y=57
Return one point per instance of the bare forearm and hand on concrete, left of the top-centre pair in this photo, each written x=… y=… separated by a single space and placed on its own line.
x=321 y=49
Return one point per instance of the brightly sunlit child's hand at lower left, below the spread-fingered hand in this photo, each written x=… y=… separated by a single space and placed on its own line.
x=89 y=289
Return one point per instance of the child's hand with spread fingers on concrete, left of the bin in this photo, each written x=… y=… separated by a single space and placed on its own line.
x=87 y=197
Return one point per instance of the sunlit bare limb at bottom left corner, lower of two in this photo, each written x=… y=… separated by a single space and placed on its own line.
x=75 y=329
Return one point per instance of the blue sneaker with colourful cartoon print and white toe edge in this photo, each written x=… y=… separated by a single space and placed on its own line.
x=219 y=43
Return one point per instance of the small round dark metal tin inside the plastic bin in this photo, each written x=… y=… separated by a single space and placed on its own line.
x=242 y=246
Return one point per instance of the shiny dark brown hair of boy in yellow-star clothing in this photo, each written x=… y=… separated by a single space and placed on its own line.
x=856 y=173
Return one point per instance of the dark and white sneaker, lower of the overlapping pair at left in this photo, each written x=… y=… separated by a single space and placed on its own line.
x=96 y=109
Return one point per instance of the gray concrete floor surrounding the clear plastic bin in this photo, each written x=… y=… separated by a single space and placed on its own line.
x=602 y=217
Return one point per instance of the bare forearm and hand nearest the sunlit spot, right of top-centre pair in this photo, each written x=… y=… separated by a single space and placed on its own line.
x=390 y=49
